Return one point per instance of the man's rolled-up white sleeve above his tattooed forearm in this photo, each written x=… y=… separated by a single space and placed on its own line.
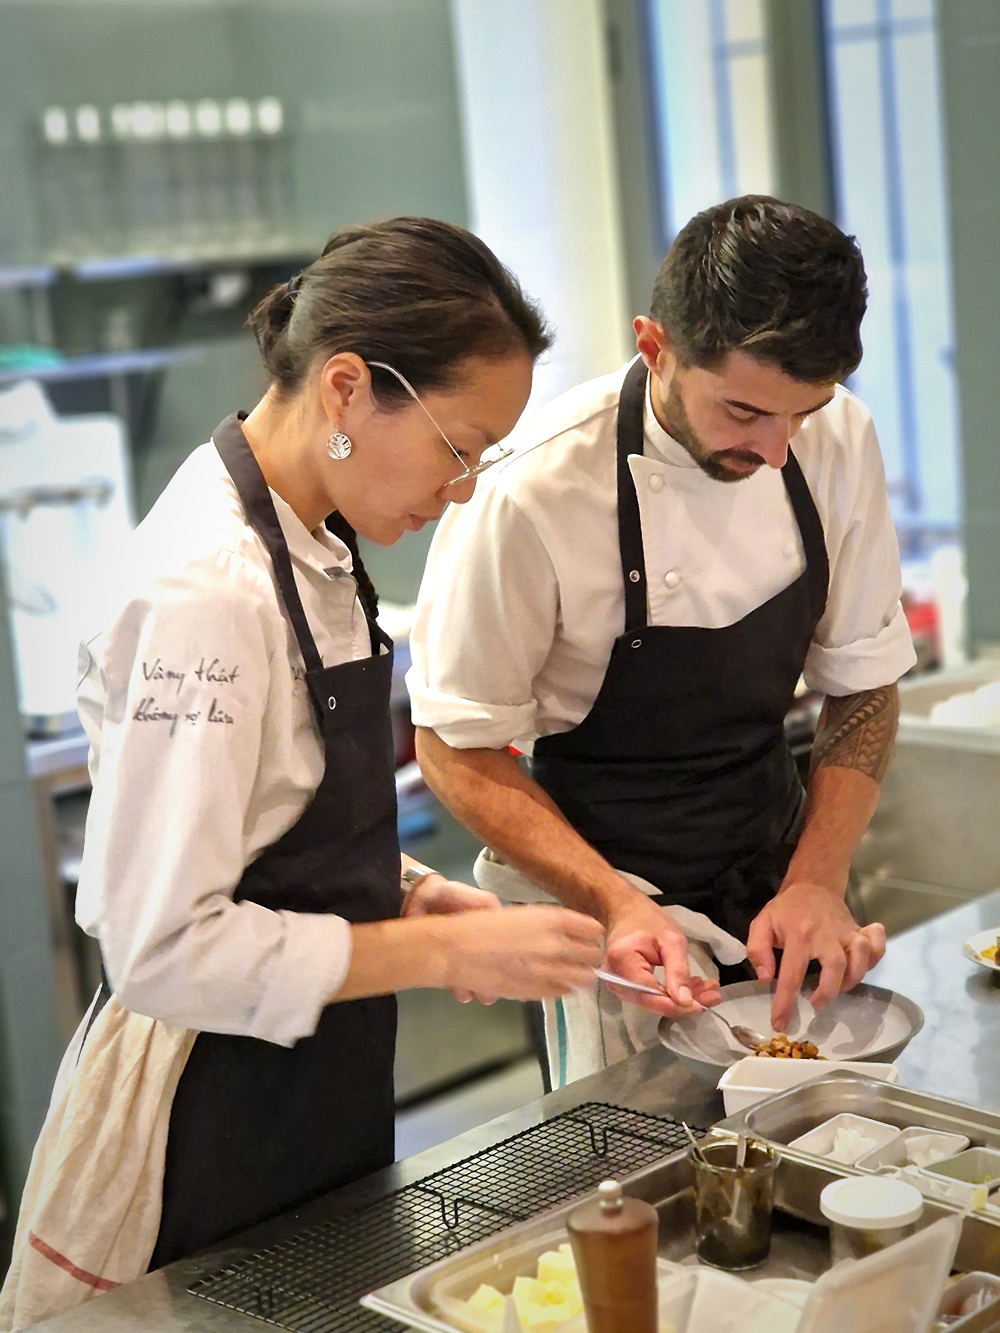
x=863 y=641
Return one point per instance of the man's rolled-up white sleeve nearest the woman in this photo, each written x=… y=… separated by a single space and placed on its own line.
x=487 y=569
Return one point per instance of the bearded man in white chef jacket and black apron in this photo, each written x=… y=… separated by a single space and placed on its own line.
x=633 y=601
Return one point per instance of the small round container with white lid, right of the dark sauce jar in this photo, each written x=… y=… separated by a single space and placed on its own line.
x=869 y=1214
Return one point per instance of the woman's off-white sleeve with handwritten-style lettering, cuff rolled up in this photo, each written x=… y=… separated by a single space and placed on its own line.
x=179 y=758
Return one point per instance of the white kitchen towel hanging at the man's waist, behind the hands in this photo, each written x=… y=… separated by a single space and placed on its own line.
x=591 y=1030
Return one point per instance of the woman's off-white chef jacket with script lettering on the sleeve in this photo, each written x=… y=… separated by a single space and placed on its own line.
x=205 y=751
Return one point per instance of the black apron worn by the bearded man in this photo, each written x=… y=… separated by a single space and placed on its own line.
x=681 y=772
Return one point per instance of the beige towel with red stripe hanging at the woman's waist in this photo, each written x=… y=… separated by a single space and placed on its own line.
x=91 y=1207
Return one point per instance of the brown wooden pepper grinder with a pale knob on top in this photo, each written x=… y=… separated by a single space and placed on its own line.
x=614 y=1240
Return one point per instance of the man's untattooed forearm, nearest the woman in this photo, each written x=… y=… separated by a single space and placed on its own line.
x=490 y=794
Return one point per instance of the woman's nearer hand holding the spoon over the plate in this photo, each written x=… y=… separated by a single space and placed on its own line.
x=523 y=952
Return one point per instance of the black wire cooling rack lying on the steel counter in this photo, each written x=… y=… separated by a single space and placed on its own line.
x=313 y=1282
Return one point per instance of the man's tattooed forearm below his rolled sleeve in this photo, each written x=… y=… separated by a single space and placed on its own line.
x=850 y=758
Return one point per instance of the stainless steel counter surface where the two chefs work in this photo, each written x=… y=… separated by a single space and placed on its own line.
x=954 y=1055
